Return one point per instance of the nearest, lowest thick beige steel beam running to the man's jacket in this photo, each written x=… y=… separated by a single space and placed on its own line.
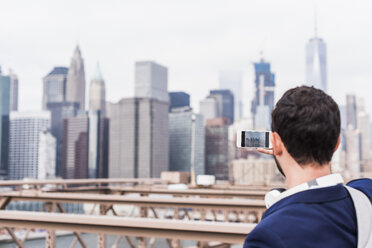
x=232 y=233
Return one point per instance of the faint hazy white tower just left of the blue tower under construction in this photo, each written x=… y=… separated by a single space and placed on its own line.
x=232 y=80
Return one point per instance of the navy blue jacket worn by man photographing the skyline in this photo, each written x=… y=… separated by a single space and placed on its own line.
x=323 y=217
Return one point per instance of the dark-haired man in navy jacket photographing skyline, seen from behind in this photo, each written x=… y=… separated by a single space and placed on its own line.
x=316 y=210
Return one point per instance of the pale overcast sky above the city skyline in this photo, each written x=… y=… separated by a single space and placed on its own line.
x=195 y=39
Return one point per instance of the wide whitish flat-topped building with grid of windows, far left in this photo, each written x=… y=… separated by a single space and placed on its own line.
x=24 y=143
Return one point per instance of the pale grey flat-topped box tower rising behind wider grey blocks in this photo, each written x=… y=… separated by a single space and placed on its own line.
x=151 y=81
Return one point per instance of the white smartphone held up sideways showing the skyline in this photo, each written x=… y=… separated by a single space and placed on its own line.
x=253 y=139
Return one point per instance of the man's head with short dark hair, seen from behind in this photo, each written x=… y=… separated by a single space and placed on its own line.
x=307 y=122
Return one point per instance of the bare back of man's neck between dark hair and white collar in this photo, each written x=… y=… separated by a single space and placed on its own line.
x=302 y=174
